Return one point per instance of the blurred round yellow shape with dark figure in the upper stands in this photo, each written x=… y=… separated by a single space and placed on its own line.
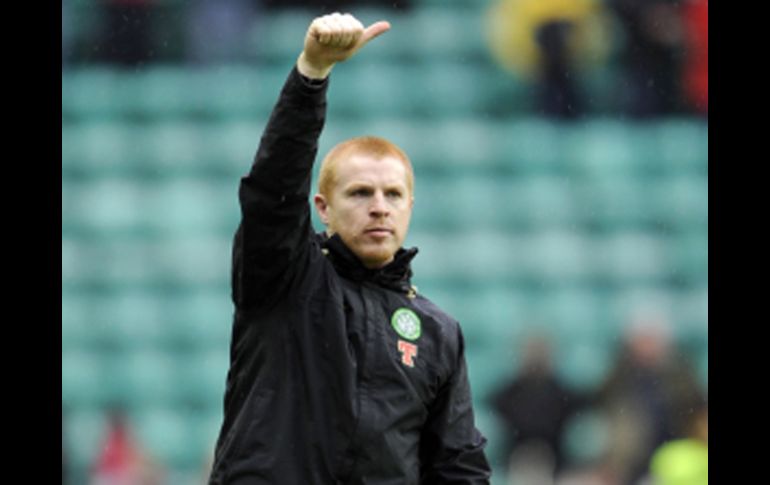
x=550 y=42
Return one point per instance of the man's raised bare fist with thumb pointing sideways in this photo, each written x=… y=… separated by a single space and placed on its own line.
x=334 y=38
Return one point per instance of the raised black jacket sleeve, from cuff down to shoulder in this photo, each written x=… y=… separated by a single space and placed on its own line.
x=275 y=228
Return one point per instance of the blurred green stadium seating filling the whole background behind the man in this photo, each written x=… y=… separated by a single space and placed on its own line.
x=523 y=222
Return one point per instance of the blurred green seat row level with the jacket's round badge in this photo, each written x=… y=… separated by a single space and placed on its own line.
x=199 y=319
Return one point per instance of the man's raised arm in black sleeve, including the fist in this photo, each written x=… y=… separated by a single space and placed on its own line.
x=274 y=234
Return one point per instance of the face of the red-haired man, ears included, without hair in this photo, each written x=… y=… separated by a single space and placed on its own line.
x=369 y=207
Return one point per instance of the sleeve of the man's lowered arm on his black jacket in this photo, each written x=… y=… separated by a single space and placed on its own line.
x=451 y=448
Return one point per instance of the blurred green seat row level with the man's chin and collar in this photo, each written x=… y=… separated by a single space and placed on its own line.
x=548 y=255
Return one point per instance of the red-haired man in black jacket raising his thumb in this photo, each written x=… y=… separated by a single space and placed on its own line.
x=340 y=373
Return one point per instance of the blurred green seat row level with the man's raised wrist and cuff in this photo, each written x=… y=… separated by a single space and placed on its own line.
x=427 y=90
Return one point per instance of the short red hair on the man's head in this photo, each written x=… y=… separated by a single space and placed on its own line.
x=366 y=145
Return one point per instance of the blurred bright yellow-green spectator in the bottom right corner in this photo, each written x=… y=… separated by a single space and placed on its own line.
x=684 y=461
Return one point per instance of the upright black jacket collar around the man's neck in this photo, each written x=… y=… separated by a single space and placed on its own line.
x=396 y=275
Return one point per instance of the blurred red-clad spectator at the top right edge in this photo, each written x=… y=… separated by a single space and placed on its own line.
x=696 y=68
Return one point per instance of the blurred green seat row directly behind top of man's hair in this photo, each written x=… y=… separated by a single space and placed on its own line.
x=592 y=148
